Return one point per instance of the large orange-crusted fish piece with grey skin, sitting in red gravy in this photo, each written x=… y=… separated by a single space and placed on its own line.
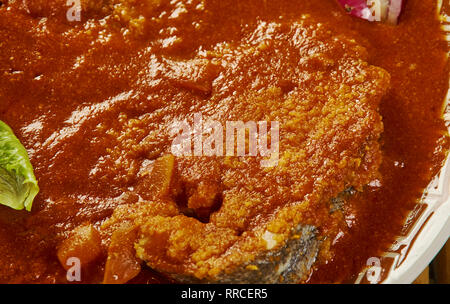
x=268 y=227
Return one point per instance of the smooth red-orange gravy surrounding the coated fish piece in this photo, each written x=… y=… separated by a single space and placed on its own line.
x=40 y=47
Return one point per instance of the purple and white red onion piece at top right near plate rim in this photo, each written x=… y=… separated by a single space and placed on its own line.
x=386 y=11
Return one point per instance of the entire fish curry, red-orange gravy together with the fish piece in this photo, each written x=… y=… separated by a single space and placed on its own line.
x=94 y=101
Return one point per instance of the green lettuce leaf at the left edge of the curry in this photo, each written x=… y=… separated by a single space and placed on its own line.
x=18 y=185
